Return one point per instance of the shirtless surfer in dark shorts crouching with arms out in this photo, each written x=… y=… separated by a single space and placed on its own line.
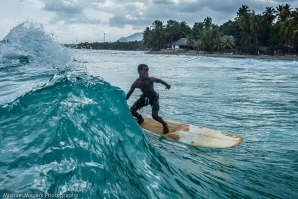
x=149 y=96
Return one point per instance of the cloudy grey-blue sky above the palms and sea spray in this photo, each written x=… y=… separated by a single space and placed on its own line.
x=74 y=21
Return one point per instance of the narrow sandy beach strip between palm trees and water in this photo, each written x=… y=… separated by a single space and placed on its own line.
x=268 y=57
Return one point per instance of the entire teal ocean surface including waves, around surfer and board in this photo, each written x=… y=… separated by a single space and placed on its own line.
x=66 y=129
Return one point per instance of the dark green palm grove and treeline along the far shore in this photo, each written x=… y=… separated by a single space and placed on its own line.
x=275 y=30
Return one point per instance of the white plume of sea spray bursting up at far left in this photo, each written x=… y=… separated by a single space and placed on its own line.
x=30 y=40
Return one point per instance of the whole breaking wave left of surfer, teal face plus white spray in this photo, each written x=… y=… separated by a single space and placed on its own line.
x=66 y=132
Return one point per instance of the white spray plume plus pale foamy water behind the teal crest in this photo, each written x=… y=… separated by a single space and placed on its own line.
x=28 y=59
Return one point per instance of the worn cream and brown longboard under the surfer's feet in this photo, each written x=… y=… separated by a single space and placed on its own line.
x=193 y=135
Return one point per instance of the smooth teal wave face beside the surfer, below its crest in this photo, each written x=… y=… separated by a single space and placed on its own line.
x=76 y=136
